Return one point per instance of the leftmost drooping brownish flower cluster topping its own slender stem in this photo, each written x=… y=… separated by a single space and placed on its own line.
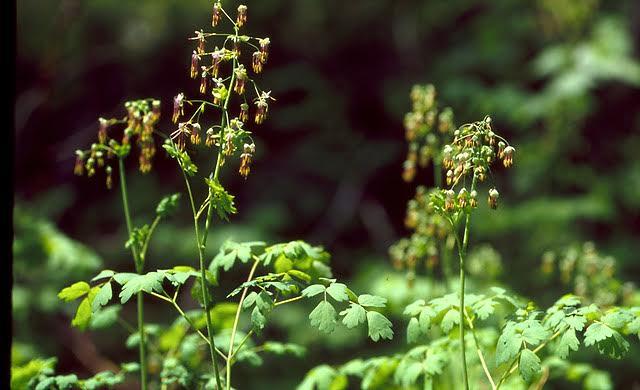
x=139 y=126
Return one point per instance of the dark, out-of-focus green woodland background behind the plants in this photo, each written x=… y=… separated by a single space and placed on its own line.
x=560 y=78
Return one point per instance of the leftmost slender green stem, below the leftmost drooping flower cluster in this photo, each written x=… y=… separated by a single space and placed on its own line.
x=139 y=268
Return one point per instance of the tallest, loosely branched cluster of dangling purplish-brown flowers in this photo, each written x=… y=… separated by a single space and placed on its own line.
x=223 y=76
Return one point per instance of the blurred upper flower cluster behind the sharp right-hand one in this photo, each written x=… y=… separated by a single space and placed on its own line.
x=420 y=129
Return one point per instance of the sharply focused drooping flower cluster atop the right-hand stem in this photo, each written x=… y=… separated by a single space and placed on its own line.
x=474 y=149
